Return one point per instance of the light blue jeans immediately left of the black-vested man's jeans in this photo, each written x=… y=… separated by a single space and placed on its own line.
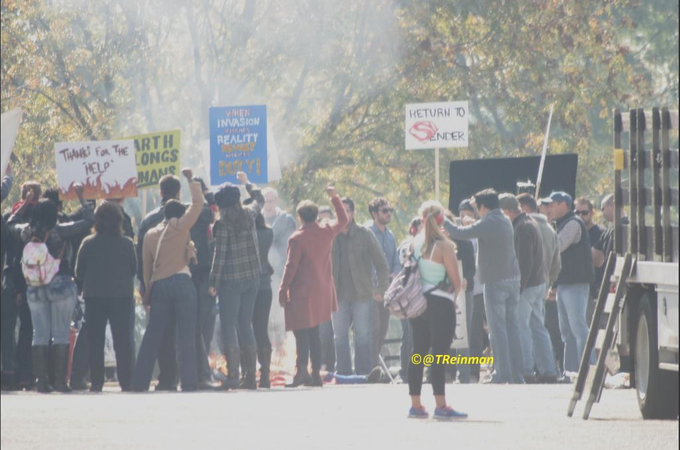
x=533 y=333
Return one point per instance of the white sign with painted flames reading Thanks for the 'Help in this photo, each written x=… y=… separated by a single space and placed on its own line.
x=106 y=169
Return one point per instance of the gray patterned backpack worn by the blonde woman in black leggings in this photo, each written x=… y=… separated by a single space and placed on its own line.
x=405 y=298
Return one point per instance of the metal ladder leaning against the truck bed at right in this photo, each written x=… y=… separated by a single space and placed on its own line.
x=591 y=377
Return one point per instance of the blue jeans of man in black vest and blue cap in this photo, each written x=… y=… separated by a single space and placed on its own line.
x=572 y=301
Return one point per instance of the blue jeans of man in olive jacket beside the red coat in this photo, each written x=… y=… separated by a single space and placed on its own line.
x=360 y=314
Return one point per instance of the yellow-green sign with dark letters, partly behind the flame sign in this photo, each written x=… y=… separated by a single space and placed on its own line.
x=157 y=154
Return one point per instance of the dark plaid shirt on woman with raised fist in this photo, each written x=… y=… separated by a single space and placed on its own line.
x=236 y=257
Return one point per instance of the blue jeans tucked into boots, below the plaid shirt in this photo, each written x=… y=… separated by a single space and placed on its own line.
x=237 y=305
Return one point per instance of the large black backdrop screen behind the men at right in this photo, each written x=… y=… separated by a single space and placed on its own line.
x=468 y=177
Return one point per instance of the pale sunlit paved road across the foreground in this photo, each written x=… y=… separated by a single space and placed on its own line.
x=337 y=417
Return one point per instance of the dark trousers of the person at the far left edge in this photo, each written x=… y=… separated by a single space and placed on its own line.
x=16 y=355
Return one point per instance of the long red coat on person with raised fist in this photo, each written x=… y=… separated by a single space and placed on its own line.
x=307 y=287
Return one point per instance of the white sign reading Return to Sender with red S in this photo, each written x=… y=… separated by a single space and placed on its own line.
x=436 y=125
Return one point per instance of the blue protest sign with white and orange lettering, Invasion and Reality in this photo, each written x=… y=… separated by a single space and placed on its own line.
x=238 y=143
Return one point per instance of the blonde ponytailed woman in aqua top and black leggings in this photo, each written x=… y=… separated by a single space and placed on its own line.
x=433 y=332
